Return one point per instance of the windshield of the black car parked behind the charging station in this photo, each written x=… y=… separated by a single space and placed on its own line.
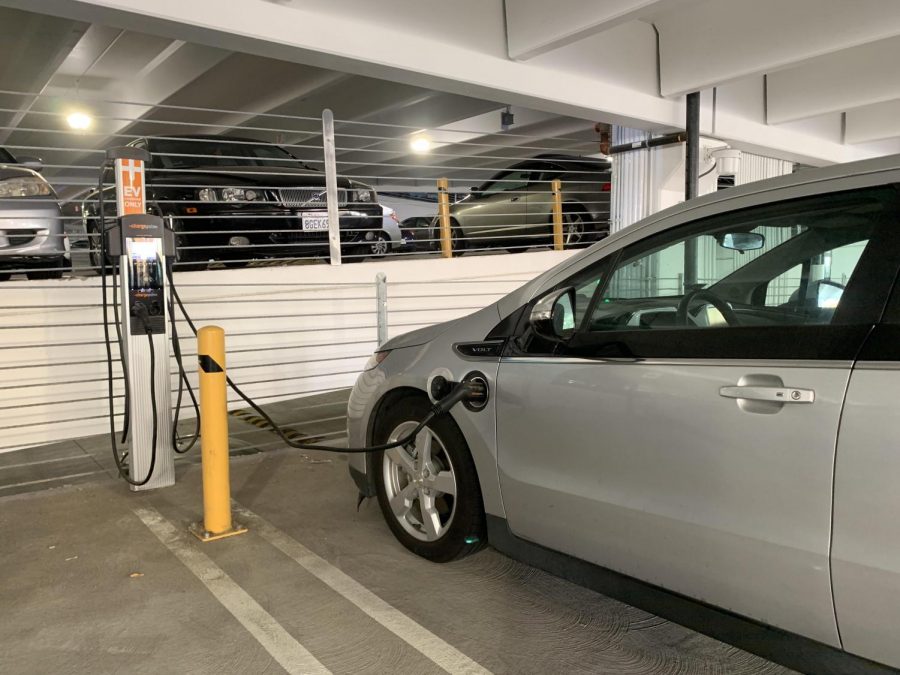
x=189 y=153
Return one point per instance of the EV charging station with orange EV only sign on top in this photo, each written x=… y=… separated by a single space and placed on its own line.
x=141 y=243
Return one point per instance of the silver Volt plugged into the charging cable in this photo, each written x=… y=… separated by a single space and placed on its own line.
x=703 y=406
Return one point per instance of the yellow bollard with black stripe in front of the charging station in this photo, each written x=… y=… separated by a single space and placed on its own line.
x=217 y=522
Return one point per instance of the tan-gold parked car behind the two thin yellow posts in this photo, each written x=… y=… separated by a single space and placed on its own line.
x=514 y=209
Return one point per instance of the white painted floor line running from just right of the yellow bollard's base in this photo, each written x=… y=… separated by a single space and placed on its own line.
x=443 y=654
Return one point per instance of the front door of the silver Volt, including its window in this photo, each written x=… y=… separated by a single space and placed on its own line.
x=685 y=433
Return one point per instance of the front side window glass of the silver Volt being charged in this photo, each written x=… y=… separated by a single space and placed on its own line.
x=764 y=267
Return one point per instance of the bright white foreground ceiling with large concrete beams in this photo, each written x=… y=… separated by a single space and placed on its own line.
x=808 y=80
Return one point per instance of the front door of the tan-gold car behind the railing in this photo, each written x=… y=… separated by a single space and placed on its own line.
x=499 y=209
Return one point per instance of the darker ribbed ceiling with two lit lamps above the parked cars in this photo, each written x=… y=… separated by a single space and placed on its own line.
x=137 y=84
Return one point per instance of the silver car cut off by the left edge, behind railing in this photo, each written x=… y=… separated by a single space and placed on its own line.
x=31 y=229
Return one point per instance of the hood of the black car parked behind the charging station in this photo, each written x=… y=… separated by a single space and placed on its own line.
x=262 y=176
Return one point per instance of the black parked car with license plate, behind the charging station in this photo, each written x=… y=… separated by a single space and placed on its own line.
x=230 y=198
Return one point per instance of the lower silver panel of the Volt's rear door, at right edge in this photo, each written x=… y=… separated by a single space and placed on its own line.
x=865 y=555
